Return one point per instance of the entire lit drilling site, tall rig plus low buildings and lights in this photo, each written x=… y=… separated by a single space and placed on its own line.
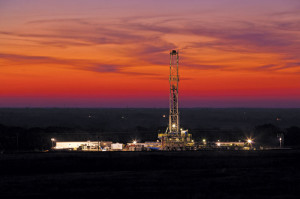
x=174 y=138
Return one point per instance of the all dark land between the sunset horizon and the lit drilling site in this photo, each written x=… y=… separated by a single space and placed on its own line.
x=32 y=128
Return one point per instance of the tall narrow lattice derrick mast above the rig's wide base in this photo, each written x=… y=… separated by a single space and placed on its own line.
x=174 y=128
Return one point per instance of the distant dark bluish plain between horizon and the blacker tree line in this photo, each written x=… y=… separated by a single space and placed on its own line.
x=126 y=119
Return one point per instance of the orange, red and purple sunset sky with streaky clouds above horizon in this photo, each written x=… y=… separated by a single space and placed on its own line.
x=115 y=53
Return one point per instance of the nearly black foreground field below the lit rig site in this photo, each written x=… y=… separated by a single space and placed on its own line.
x=199 y=174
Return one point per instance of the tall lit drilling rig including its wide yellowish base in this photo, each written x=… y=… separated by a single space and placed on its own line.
x=175 y=138
